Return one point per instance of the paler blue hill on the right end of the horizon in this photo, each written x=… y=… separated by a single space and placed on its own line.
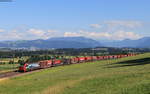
x=140 y=43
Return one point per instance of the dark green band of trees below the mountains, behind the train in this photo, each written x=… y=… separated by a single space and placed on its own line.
x=71 y=52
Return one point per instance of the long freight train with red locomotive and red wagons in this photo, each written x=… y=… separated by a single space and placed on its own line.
x=25 y=67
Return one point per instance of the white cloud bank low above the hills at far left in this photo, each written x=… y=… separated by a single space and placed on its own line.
x=29 y=34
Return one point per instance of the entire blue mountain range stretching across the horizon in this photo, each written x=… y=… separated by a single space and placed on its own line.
x=75 y=42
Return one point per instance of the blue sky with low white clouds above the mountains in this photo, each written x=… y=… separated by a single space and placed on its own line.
x=97 y=19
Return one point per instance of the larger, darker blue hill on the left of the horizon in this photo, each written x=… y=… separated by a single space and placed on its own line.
x=61 y=42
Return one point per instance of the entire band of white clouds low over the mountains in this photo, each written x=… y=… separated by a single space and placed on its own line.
x=116 y=33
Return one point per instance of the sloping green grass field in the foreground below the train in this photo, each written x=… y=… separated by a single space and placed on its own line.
x=129 y=75
